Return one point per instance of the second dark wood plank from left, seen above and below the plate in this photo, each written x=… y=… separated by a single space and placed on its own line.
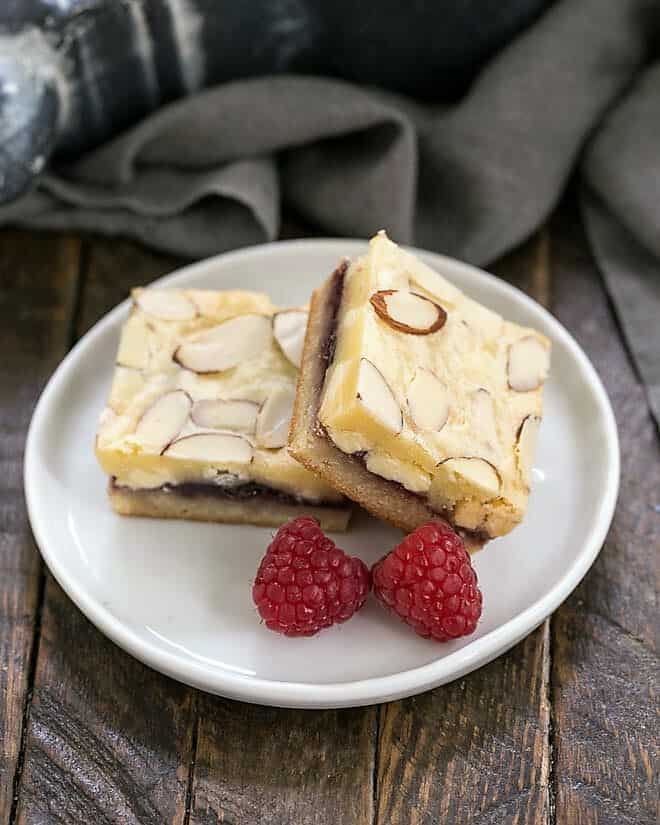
x=108 y=740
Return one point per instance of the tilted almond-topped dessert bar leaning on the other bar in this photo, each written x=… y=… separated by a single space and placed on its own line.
x=416 y=401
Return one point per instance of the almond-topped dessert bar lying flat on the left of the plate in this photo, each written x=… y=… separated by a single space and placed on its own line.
x=197 y=420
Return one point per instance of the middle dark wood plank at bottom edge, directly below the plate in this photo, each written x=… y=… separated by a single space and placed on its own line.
x=264 y=766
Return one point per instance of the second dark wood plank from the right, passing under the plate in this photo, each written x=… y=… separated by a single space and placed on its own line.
x=477 y=750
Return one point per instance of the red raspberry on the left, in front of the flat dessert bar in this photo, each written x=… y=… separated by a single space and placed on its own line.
x=305 y=583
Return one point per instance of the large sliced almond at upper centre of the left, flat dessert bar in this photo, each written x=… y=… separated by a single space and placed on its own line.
x=226 y=345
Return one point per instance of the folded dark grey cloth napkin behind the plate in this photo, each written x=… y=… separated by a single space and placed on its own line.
x=578 y=89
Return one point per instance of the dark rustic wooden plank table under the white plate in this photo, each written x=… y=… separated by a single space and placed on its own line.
x=561 y=729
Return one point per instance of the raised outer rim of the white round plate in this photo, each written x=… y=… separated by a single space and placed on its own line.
x=352 y=693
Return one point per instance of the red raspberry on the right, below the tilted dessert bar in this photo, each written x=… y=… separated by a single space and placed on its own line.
x=428 y=581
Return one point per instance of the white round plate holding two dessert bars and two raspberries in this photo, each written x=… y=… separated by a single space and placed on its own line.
x=176 y=595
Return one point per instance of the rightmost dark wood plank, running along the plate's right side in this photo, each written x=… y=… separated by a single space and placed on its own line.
x=605 y=674
